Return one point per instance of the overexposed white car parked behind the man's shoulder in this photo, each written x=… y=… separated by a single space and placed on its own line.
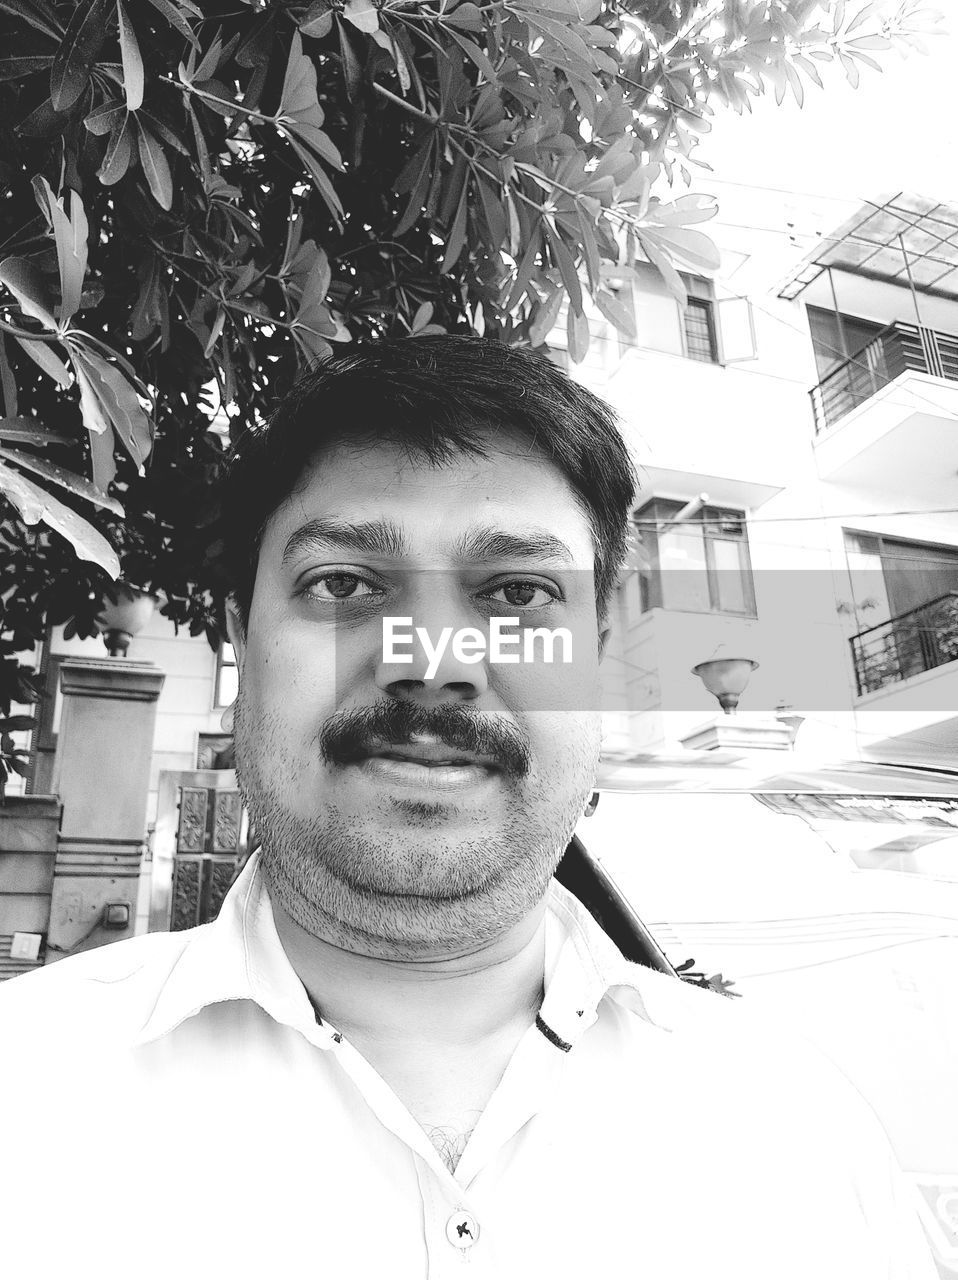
x=823 y=894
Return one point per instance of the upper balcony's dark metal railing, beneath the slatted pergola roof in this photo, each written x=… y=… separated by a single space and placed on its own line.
x=893 y=351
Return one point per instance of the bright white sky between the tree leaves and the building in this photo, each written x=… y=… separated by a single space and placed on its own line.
x=896 y=132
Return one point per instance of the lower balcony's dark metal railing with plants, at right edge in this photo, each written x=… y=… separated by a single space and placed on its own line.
x=915 y=642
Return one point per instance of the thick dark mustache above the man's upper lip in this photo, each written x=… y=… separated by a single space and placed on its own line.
x=349 y=735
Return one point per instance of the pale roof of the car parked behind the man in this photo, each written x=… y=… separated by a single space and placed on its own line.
x=768 y=771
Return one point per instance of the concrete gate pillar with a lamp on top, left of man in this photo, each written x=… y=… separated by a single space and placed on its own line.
x=102 y=776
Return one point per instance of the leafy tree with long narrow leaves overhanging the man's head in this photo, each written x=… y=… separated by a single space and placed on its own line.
x=203 y=198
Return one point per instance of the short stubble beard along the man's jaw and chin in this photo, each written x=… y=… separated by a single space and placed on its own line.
x=346 y=885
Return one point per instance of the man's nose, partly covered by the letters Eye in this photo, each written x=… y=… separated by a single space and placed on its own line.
x=436 y=644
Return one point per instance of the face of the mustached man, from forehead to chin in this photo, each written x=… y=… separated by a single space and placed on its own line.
x=419 y=807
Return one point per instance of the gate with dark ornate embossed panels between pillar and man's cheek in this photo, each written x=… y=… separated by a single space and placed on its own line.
x=200 y=843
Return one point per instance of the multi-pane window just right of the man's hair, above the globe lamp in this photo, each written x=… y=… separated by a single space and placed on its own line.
x=699 y=566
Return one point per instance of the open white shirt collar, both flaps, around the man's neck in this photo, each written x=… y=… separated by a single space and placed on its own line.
x=240 y=957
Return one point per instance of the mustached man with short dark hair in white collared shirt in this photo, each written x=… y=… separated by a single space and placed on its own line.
x=403 y=1050
